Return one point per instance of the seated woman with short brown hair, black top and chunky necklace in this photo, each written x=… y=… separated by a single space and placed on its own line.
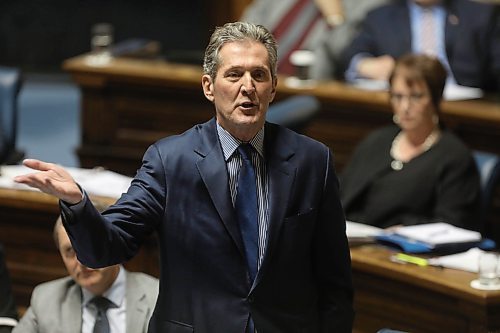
x=417 y=171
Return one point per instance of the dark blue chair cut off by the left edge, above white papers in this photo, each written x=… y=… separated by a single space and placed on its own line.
x=10 y=86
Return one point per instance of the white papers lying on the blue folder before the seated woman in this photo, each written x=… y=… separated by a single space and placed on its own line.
x=439 y=233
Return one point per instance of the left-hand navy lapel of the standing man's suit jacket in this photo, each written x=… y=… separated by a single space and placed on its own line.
x=213 y=171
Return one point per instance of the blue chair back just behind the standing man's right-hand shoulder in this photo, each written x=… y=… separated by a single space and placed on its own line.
x=294 y=112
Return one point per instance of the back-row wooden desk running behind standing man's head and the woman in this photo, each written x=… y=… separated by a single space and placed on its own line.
x=129 y=104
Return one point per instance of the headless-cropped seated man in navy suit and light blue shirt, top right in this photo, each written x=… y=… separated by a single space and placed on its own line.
x=464 y=35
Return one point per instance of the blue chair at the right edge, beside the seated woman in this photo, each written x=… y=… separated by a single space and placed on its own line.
x=488 y=165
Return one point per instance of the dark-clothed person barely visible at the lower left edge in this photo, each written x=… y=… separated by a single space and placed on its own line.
x=8 y=311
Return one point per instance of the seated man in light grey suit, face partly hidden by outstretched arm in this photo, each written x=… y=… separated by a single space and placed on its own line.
x=90 y=299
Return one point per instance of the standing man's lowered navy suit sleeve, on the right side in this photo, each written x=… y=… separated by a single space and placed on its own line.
x=332 y=259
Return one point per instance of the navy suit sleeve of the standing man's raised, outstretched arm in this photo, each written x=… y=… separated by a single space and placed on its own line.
x=116 y=235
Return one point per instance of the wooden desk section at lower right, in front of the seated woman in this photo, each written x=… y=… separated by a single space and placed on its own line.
x=418 y=299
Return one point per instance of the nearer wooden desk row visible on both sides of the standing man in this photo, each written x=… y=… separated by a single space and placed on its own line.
x=405 y=297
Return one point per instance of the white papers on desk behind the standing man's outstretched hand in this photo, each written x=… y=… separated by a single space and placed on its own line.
x=95 y=181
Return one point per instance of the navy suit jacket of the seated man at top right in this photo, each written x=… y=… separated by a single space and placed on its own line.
x=472 y=39
